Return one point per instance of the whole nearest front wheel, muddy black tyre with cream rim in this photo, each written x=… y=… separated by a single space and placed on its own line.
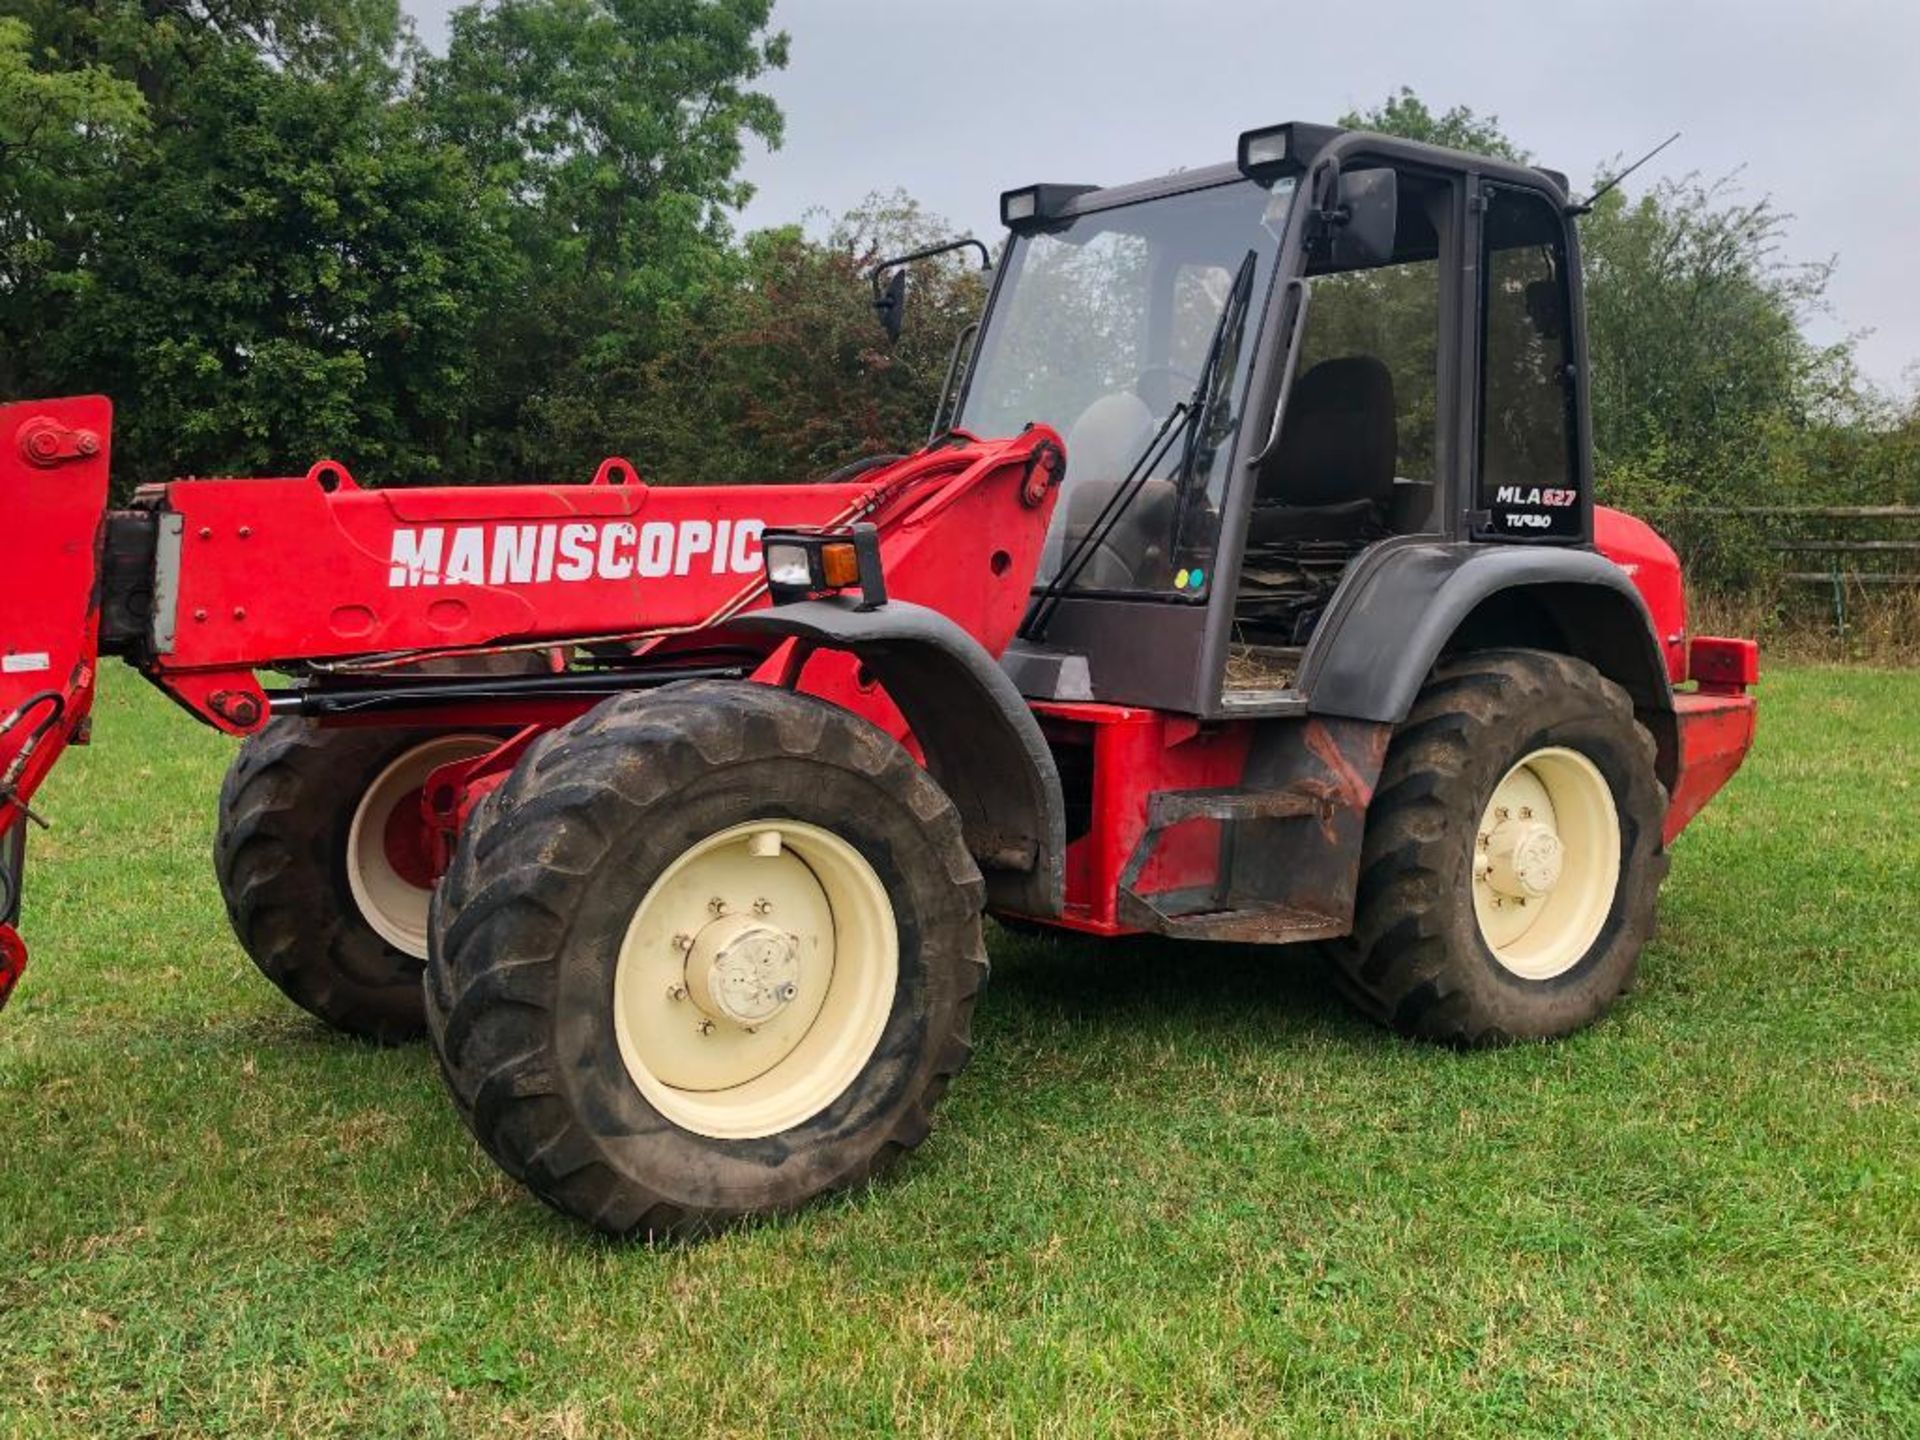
x=709 y=953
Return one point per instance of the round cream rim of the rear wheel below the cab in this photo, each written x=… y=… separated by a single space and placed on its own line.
x=1547 y=863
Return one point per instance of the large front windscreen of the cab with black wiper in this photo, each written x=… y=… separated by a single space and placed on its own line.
x=1103 y=329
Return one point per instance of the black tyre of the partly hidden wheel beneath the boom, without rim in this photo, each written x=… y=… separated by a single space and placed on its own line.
x=287 y=905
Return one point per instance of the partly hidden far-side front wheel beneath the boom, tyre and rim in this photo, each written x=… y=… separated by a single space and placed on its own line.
x=325 y=880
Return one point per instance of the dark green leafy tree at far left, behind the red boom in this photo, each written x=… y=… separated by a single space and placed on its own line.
x=277 y=264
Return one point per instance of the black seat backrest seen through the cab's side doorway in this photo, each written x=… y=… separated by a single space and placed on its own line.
x=1332 y=475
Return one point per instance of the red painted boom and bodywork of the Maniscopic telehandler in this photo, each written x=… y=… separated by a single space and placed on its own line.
x=308 y=573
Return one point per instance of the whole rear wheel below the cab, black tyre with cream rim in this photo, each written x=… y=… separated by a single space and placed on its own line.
x=1512 y=865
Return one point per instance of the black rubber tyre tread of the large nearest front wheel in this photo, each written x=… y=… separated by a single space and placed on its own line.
x=498 y=921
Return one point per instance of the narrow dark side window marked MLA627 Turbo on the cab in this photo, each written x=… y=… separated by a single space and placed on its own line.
x=1529 y=471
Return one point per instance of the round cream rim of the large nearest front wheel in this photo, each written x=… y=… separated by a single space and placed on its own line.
x=756 y=980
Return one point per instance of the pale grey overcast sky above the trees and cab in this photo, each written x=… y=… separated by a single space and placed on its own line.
x=955 y=101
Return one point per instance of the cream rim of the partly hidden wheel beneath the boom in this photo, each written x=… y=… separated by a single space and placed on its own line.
x=391 y=886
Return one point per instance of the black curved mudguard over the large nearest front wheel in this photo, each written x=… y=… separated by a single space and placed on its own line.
x=974 y=731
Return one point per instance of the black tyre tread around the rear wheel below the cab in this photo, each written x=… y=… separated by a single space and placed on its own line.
x=1395 y=967
